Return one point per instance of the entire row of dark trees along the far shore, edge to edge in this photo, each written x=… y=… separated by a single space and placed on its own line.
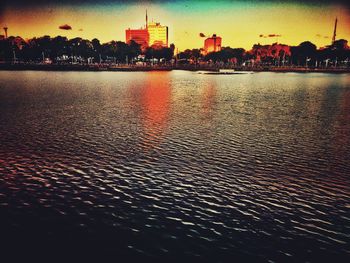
x=77 y=50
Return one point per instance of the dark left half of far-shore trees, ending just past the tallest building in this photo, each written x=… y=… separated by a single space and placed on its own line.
x=77 y=50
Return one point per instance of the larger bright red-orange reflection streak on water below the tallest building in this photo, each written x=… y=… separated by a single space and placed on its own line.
x=155 y=101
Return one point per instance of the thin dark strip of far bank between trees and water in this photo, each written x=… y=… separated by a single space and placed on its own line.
x=109 y=67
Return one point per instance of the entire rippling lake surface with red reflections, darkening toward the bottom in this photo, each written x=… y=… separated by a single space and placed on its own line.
x=175 y=165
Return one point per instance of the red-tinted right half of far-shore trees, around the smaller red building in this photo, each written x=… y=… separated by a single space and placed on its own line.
x=305 y=54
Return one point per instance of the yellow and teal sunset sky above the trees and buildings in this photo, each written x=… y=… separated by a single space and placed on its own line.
x=239 y=23
